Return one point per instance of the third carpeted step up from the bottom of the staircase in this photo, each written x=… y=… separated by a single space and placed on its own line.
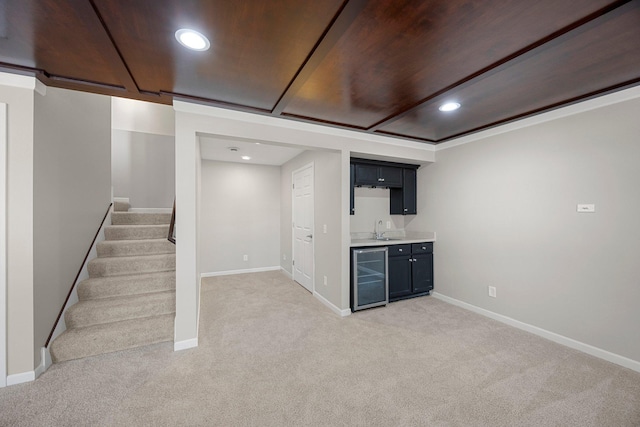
x=134 y=284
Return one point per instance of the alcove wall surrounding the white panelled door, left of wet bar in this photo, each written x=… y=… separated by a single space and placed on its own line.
x=327 y=209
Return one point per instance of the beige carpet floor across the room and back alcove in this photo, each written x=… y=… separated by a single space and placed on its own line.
x=272 y=355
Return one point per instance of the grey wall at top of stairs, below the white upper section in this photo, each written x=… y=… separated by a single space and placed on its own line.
x=143 y=168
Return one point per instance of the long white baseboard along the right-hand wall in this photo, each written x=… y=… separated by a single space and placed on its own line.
x=552 y=336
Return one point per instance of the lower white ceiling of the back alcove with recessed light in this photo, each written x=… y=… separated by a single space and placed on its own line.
x=261 y=153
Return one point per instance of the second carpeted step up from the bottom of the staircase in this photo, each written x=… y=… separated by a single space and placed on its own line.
x=110 y=310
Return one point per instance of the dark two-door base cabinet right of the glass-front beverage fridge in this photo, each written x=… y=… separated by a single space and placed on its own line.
x=410 y=270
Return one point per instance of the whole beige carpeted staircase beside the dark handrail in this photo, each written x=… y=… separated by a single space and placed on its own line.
x=129 y=298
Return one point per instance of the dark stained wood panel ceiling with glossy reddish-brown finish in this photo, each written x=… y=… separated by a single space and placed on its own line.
x=377 y=66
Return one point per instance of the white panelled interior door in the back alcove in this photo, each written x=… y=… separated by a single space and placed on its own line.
x=303 y=226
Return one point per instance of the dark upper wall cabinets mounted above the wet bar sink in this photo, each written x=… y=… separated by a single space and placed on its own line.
x=400 y=178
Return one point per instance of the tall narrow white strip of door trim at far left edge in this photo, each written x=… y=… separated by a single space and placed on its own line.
x=3 y=245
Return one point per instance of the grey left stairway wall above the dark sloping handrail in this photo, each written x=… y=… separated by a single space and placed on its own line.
x=71 y=194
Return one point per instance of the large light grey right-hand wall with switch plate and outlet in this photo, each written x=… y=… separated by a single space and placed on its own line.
x=504 y=208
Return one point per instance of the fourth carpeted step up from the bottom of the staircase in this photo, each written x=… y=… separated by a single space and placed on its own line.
x=115 y=266
